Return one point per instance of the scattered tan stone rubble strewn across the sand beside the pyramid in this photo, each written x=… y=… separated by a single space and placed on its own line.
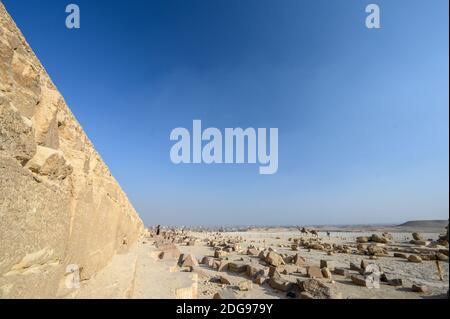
x=266 y=266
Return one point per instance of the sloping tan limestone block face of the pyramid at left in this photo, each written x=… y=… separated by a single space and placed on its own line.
x=59 y=203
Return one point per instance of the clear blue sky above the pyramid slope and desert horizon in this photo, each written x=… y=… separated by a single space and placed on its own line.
x=363 y=115
